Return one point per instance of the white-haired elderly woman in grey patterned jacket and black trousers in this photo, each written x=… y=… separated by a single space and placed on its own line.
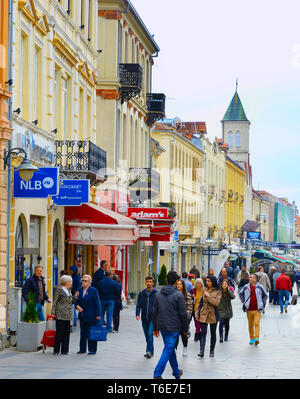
x=62 y=309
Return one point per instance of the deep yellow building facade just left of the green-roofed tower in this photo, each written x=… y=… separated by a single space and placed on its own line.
x=234 y=201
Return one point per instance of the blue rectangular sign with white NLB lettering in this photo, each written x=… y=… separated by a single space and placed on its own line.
x=43 y=184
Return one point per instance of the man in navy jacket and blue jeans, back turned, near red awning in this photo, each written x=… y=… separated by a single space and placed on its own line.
x=109 y=292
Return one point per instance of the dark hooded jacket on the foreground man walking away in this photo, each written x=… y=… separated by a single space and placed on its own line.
x=169 y=311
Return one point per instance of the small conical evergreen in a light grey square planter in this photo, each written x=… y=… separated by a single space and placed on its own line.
x=30 y=331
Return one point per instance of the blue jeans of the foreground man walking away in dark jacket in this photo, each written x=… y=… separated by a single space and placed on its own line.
x=168 y=354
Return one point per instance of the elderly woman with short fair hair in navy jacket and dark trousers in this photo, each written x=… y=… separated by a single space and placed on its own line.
x=89 y=309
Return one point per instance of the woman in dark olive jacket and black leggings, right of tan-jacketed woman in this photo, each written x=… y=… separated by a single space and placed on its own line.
x=225 y=309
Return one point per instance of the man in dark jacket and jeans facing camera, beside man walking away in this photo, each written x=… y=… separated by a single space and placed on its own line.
x=144 y=304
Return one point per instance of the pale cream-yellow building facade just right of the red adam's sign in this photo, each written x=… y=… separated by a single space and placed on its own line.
x=182 y=181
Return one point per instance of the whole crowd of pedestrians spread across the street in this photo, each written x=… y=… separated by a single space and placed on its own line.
x=167 y=312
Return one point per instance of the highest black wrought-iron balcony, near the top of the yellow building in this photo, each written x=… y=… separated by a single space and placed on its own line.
x=131 y=81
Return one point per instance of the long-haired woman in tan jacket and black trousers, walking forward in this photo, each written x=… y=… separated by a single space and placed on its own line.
x=207 y=314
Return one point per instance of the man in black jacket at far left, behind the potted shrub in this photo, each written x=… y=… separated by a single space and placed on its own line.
x=36 y=284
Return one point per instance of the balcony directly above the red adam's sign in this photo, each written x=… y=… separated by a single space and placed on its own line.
x=144 y=184
